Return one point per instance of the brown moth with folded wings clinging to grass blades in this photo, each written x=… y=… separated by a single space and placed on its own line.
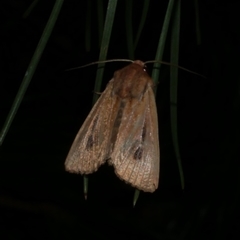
x=122 y=129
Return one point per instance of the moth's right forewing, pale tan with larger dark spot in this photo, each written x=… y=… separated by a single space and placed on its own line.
x=135 y=156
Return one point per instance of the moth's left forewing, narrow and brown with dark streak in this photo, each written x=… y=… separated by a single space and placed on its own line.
x=91 y=145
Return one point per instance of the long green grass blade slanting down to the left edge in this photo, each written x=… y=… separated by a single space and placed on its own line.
x=31 y=68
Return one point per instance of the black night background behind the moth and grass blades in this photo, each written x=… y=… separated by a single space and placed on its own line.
x=39 y=200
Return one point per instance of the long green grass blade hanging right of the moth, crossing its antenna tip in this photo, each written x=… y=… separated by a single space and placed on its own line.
x=174 y=85
